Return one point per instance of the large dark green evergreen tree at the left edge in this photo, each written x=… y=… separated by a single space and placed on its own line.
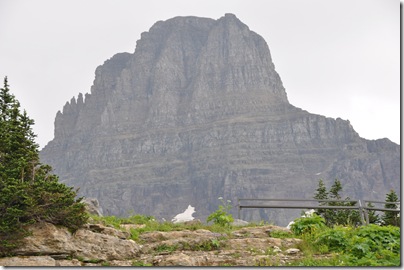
x=29 y=193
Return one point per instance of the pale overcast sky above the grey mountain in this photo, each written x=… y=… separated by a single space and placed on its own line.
x=335 y=58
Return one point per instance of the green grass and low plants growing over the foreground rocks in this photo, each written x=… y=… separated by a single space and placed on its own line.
x=321 y=246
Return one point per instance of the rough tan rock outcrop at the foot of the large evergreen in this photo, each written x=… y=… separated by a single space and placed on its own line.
x=57 y=242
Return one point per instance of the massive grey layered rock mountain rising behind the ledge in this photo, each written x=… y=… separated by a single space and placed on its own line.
x=198 y=112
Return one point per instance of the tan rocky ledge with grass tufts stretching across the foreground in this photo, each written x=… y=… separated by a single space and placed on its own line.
x=99 y=245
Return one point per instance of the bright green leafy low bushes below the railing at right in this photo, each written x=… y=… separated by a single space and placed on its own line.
x=370 y=245
